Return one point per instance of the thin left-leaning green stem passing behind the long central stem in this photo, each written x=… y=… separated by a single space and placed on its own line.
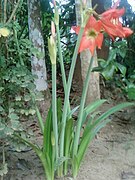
x=62 y=64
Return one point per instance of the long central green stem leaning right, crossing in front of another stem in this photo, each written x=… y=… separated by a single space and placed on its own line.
x=67 y=93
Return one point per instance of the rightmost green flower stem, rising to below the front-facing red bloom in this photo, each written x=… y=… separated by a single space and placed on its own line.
x=82 y=104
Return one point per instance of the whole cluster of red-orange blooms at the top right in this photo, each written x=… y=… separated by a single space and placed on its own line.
x=107 y=22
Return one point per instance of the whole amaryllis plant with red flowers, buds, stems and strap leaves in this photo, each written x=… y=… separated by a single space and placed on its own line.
x=63 y=150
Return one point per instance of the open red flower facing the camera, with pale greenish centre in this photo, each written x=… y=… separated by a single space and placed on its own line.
x=92 y=37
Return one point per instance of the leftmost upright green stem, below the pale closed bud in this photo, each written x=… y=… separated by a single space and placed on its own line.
x=54 y=108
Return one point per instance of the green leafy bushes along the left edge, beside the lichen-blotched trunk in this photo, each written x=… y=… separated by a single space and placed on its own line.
x=16 y=79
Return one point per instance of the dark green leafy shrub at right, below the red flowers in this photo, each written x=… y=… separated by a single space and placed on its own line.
x=116 y=70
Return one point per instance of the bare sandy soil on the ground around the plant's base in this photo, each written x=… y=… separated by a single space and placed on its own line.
x=111 y=156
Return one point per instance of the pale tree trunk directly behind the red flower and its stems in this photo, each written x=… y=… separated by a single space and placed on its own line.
x=93 y=89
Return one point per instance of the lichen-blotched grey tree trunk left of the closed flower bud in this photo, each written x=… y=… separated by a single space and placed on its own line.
x=36 y=37
